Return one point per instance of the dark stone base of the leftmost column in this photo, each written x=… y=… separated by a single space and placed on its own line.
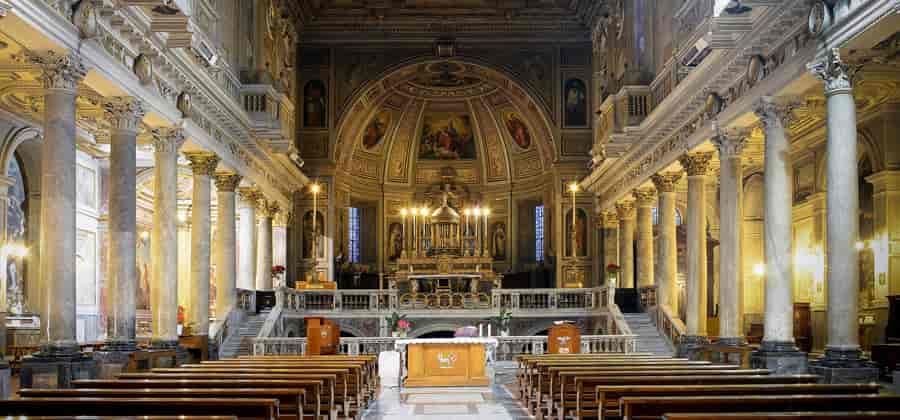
x=56 y=367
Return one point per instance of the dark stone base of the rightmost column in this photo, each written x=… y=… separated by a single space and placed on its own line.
x=844 y=366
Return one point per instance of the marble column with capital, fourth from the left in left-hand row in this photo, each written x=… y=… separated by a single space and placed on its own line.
x=203 y=166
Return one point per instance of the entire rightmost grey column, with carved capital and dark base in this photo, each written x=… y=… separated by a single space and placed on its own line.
x=843 y=359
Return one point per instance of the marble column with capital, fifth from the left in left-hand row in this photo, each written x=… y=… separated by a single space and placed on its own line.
x=226 y=265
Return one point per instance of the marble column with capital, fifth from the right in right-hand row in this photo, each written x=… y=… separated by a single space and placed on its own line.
x=667 y=290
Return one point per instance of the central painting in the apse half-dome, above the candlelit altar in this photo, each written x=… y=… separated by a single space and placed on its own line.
x=447 y=136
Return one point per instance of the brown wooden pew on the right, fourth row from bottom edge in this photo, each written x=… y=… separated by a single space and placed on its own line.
x=587 y=382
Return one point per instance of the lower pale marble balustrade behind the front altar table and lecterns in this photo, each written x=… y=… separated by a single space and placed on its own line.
x=507 y=348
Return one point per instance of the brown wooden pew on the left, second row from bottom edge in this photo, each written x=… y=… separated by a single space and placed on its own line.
x=243 y=408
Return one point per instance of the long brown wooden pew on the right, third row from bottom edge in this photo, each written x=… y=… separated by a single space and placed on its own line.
x=607 y=397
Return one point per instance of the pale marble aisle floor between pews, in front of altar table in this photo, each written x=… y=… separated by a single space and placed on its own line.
x=482 y=403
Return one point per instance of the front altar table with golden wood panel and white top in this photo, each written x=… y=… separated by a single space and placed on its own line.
x=447 y=361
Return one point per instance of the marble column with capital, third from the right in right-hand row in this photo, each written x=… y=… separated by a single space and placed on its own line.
x=730 y=144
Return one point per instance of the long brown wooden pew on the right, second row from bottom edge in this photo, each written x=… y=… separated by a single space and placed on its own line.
x=645 y=408
